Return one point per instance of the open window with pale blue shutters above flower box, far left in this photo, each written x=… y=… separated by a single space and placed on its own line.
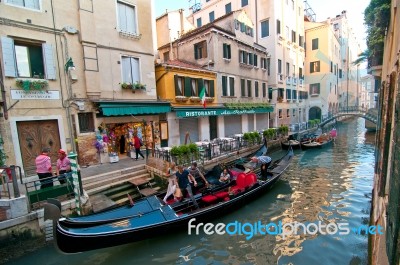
x=23 y=59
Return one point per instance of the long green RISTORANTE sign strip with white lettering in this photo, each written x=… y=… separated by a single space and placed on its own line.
x=217 y=112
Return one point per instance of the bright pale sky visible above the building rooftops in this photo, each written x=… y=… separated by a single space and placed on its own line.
x=322 y=8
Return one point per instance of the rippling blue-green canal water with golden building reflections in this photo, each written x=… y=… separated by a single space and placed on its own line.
x=331 y=185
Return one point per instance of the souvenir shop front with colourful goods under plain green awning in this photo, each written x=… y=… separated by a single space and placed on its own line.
x=120 y=122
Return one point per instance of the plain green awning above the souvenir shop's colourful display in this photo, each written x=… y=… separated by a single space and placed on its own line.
x=131 y=108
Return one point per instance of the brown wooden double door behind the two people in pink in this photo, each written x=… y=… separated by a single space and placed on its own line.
x=33 y=136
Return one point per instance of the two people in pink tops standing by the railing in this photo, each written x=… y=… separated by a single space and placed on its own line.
x=44 y=168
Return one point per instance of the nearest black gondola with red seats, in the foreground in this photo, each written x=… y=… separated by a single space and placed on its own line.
x=169 y=218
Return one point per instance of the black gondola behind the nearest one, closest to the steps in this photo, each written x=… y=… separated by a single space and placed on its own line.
x=149 y=204
